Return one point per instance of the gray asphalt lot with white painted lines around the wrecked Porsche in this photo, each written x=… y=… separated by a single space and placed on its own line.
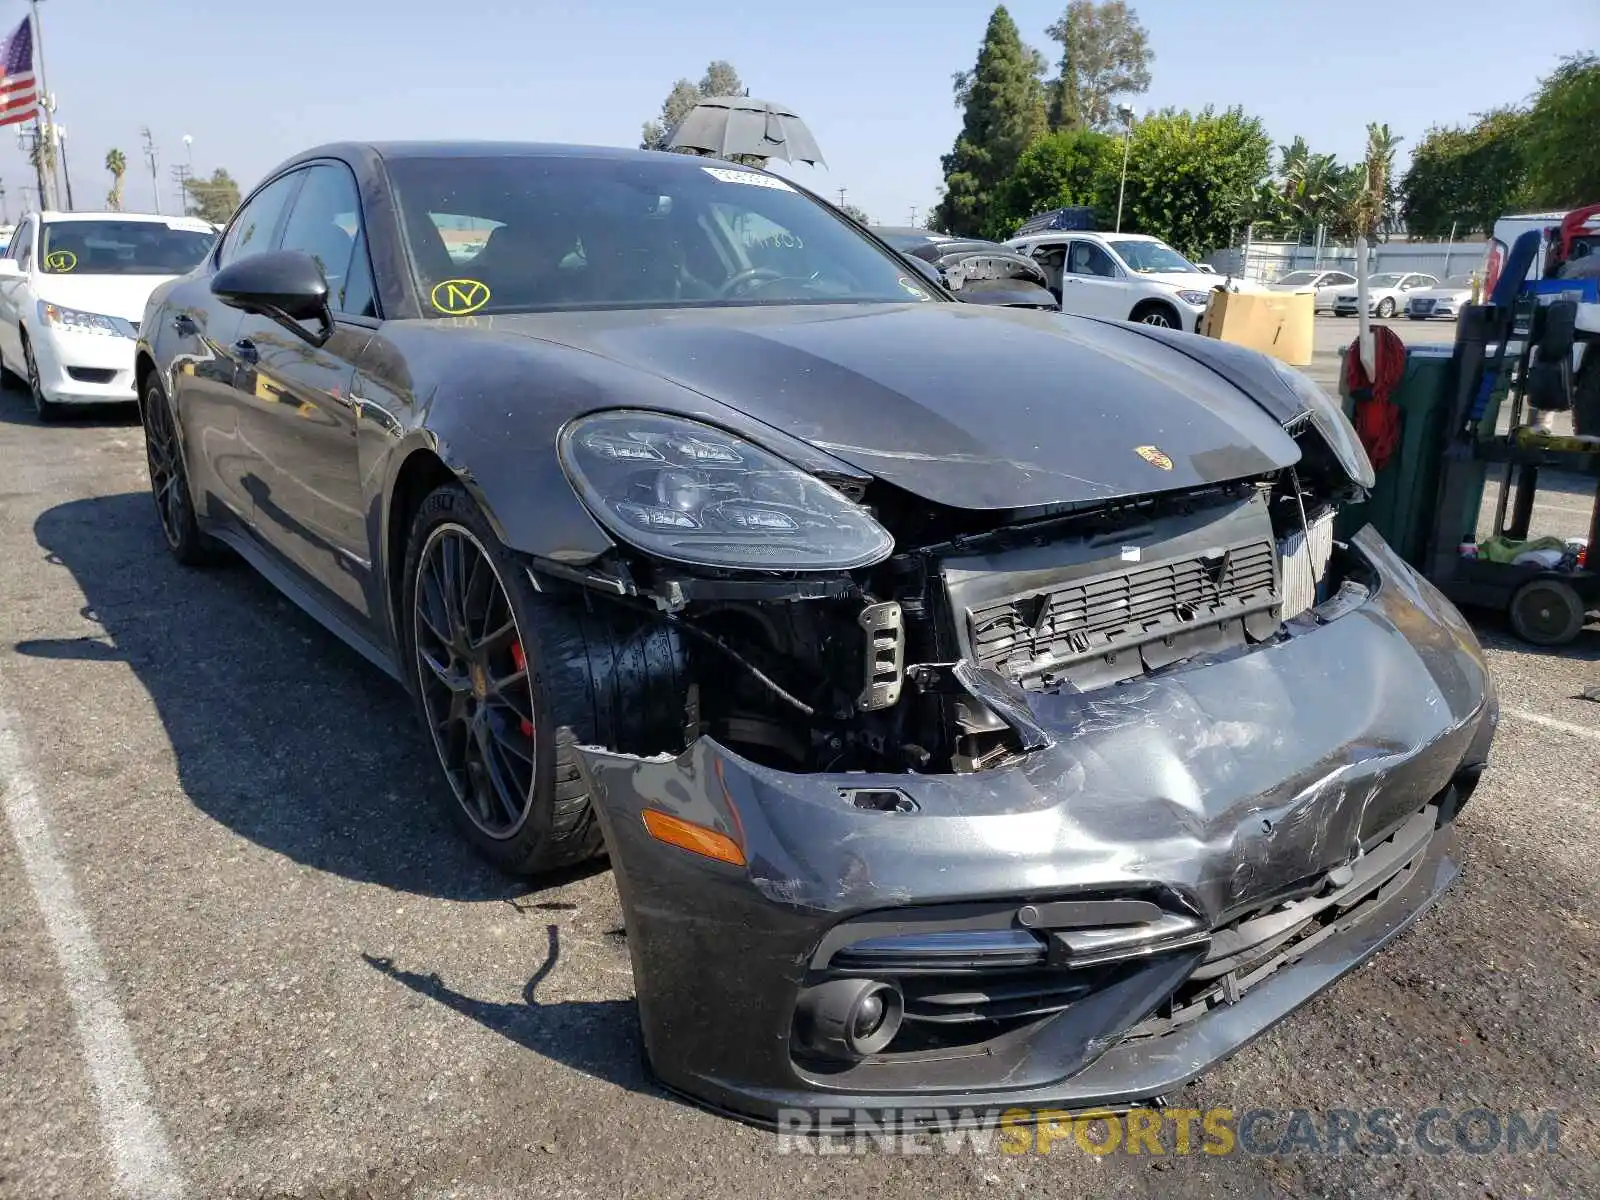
x=242 y=954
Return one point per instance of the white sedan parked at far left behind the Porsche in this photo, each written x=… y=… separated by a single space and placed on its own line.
x=73 y=290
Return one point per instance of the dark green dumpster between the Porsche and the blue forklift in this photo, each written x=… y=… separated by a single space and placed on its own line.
x=1404 y=502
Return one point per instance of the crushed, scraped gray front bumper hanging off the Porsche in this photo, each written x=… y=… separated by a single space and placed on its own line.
x=1268 y=820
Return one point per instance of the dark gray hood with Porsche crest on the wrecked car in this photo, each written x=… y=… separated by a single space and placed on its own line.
x=974 y=407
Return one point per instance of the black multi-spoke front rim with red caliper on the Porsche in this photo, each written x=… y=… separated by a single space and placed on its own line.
x=474 y=686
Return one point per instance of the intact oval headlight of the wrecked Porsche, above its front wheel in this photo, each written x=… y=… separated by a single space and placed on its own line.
x=692 y=494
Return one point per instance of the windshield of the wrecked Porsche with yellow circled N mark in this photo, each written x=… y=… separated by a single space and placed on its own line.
x=554 y=233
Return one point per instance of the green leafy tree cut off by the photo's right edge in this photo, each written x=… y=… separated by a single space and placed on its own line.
x=1564 y=129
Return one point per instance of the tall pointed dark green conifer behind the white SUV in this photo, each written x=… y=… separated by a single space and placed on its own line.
x=1004 y=103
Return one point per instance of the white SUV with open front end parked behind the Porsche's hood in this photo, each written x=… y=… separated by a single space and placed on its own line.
x=1121 y=276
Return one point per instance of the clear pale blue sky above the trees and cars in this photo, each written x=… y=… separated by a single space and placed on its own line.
x=257 y=81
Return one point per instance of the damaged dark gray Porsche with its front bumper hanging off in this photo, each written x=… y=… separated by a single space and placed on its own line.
x=977 y=705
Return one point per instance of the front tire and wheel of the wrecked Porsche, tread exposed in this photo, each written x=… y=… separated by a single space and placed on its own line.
x=506 y=735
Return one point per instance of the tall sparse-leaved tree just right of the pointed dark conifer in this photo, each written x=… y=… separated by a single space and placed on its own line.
x=1105 y=54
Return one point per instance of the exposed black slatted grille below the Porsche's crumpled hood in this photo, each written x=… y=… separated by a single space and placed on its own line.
x=1122 y=609
